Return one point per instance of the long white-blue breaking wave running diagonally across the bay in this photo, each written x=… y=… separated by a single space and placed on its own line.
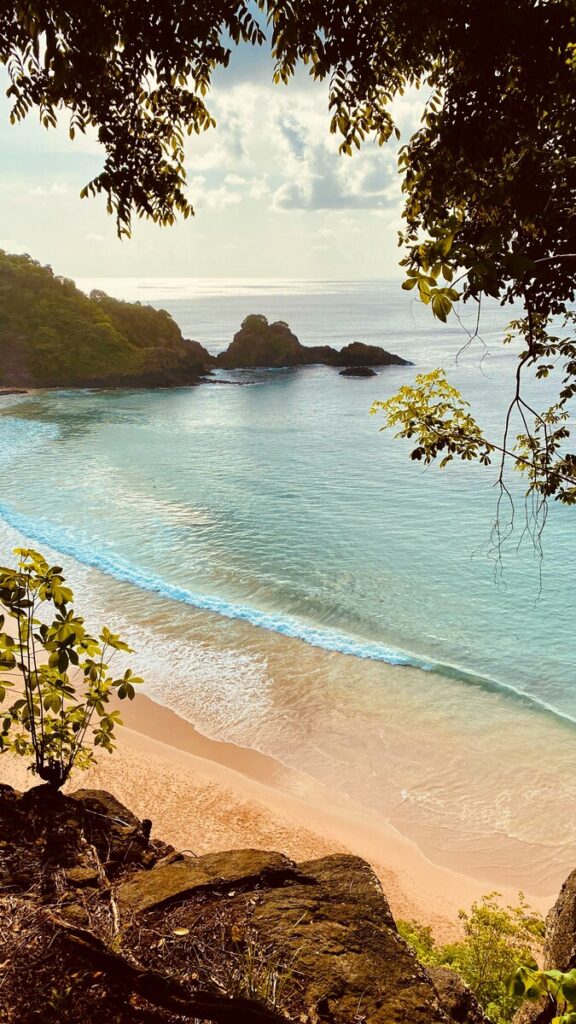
x=45 y=533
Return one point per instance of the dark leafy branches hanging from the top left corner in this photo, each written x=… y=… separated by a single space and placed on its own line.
x=138 y=76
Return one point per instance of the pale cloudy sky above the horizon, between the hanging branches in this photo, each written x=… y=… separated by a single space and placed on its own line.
x=273 y=197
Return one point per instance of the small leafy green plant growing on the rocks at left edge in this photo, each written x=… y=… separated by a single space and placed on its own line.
x=59 y=673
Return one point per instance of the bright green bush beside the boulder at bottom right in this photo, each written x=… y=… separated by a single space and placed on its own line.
x=497 y=941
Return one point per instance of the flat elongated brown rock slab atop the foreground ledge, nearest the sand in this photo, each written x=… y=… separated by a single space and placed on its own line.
x=174 y=882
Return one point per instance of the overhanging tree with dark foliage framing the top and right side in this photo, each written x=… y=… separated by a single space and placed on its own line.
x=489 y=179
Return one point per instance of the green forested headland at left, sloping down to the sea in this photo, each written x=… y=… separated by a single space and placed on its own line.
x=53 y=334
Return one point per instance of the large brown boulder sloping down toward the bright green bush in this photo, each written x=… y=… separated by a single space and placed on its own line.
x=351 y=961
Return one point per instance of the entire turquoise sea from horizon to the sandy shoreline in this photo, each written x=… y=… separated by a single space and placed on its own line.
x=293 y=582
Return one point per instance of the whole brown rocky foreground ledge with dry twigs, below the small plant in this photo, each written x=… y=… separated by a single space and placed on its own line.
x=100 y=922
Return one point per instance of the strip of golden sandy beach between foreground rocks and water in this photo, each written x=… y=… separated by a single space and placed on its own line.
x=204 y=796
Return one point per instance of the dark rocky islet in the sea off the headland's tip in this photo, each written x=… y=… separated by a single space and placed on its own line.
x=262 y=345
